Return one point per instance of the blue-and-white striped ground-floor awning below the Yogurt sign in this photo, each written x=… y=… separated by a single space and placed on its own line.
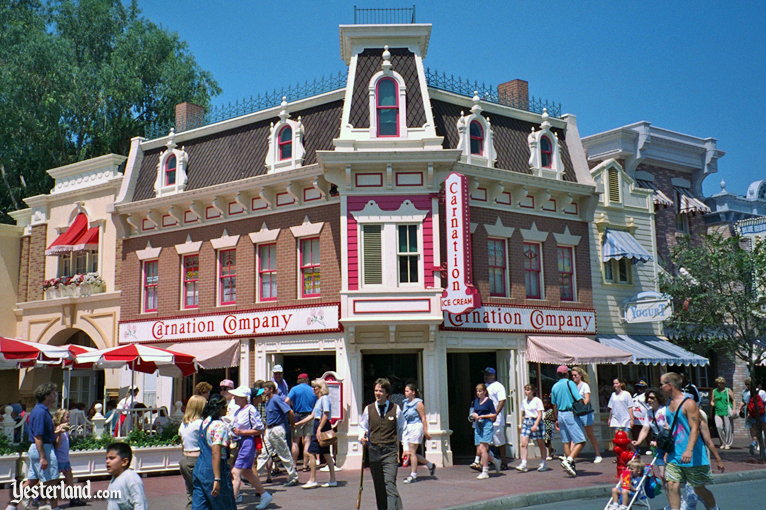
x=652 y=350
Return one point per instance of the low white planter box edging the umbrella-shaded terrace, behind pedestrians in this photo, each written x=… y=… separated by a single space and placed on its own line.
x=151 y=459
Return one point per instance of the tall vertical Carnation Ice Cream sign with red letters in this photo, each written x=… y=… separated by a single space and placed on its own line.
x=460 y=295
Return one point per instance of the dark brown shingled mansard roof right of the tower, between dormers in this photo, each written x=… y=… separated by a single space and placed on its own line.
x=510 y=138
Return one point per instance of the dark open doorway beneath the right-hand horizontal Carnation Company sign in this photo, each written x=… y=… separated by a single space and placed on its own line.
x=464 y=372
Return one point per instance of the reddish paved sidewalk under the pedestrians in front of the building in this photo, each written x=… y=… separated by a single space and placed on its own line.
x=454 y=487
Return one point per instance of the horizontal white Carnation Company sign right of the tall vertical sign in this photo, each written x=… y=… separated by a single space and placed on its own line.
x=523 y=319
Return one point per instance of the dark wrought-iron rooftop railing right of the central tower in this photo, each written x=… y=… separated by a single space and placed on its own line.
x=489 y=93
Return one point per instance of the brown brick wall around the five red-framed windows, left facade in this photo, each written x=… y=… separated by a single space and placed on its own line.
x=169 y=286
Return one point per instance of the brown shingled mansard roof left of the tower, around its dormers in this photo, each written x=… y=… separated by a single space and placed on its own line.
x=240 y=153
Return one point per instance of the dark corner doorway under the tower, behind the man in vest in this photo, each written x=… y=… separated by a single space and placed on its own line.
x=399 y=368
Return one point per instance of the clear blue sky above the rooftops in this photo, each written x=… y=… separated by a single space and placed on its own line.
x=694 y=67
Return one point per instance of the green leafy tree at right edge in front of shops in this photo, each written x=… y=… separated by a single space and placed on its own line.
x=719 y=300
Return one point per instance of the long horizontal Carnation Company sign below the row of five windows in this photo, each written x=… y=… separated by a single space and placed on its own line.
x=233 y=325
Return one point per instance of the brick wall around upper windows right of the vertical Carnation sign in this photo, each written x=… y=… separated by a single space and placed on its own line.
x=482 y=216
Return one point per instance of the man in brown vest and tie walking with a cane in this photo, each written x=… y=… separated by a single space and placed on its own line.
x=380 y=429
